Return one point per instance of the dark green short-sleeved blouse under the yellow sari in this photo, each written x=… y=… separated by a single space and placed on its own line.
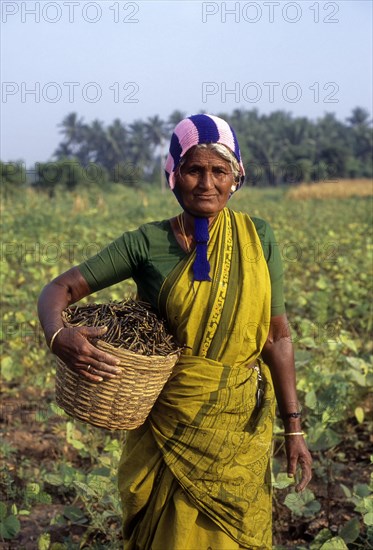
x=151 y=252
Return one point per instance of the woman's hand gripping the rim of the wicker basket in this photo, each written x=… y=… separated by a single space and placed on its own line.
x=73 y=346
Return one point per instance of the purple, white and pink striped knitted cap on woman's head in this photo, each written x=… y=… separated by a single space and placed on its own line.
x=198 y=129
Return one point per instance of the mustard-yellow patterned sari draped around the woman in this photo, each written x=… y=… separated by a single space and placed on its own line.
x=200 y=465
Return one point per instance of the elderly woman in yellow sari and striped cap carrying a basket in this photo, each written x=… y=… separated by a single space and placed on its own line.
x=196 y=475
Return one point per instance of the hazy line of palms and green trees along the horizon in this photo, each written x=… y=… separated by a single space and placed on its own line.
x=277 y=148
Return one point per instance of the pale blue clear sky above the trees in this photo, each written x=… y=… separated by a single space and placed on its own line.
x=132 y=60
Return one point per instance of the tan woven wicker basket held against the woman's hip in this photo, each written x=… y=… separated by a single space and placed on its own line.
x=120 y=403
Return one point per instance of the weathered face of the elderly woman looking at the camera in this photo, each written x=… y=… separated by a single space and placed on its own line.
x=203 y=185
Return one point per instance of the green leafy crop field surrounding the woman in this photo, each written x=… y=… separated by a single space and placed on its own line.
x=58 y=475
